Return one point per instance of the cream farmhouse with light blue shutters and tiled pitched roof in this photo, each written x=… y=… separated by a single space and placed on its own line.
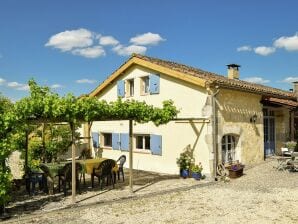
x=221 y=118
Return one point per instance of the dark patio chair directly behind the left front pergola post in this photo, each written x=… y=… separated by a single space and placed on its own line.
x=65 y=177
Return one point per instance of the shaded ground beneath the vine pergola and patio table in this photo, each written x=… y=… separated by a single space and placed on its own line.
x=22 y=203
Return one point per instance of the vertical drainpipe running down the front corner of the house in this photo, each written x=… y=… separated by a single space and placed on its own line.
x=214 y=131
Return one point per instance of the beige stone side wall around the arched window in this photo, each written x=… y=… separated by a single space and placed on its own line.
x=235 y=110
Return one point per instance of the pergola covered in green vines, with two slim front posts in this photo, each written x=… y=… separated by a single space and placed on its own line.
x=44 y=106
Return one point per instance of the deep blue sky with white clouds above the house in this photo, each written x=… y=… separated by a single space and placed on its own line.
x=72 y=46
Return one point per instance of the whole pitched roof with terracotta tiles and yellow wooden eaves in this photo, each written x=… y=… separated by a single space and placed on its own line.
x=196 y=76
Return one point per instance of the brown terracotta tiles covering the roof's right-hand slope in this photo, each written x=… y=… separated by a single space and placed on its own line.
x=215 y=79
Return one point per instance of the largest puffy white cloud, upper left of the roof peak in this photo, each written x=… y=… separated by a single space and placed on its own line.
x=70 y=39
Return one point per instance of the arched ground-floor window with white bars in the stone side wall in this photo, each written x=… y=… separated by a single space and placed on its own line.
x=228 y=144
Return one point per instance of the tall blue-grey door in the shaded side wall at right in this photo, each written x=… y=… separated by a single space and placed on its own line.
x=269 y=132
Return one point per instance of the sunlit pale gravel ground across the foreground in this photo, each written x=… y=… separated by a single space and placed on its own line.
x=262 y=195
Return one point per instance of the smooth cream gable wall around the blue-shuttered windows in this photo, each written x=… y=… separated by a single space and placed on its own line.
x=176 y=136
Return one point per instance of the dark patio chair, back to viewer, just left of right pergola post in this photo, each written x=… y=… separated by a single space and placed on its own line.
x=104 y=170
